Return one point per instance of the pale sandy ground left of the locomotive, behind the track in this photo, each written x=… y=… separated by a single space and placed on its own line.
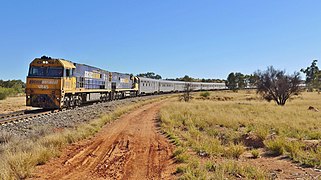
x=12 y=104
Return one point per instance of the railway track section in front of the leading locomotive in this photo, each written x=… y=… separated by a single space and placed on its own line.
x=26 y=115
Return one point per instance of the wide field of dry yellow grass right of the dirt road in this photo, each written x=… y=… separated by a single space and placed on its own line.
x=214 y=127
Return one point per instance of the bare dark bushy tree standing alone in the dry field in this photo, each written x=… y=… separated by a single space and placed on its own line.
x=275 y=85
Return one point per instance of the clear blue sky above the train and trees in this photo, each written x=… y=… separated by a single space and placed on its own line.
x=173 y=38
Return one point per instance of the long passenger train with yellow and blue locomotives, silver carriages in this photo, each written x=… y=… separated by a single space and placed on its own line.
x=54 y=83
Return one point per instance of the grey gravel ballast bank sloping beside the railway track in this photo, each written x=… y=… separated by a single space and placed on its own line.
x=64 y=119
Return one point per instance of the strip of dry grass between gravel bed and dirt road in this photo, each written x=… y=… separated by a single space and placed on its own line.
x=20 y=156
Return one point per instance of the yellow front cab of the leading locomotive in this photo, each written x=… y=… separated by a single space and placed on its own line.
x=47 y=81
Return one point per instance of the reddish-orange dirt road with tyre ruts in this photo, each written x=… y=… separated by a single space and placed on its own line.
x=128 y=148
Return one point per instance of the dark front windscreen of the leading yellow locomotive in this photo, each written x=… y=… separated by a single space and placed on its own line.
x=46 y=71
